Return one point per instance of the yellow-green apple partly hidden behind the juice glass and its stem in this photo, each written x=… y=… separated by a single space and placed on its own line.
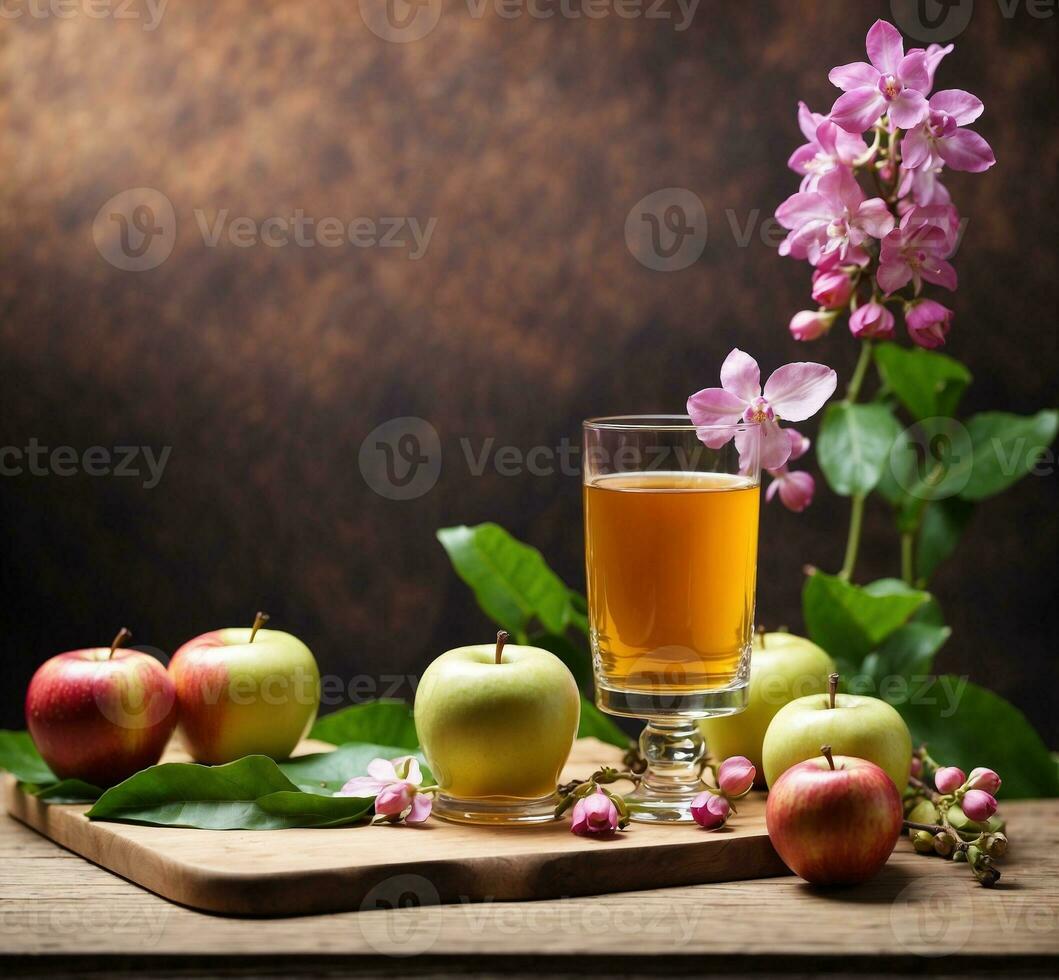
x=783 y=668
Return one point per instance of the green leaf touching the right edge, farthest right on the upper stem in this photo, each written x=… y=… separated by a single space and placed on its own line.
x=1007 y=448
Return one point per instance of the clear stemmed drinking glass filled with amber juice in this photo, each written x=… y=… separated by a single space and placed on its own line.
x=671 y=549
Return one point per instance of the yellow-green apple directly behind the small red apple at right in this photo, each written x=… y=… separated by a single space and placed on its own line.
x=853 y=725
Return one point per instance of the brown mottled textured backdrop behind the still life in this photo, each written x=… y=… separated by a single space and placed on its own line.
x=529 y=140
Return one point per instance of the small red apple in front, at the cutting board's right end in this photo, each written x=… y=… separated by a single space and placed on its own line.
x=834 y=821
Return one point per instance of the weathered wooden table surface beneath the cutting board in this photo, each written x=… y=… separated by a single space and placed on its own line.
x=59 y=914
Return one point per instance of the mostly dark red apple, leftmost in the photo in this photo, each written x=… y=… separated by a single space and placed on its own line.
x=101 y=715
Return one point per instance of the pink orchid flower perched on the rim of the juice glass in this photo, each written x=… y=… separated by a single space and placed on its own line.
x=794 y=393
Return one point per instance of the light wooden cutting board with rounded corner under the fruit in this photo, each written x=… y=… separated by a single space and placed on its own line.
x=306 y=871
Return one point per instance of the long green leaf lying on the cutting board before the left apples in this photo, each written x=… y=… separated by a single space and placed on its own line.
x=252 y=794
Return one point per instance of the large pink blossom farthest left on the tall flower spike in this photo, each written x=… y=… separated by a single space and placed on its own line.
x=835 y=220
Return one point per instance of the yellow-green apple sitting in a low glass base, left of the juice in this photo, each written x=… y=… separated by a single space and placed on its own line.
x=497 y=721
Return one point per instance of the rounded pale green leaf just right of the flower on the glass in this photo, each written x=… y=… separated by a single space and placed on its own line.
x=854 y=446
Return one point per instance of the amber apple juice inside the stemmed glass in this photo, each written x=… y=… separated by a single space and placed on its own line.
x=672 y=562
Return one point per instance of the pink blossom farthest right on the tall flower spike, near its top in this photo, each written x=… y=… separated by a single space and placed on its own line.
x=939 y=140
